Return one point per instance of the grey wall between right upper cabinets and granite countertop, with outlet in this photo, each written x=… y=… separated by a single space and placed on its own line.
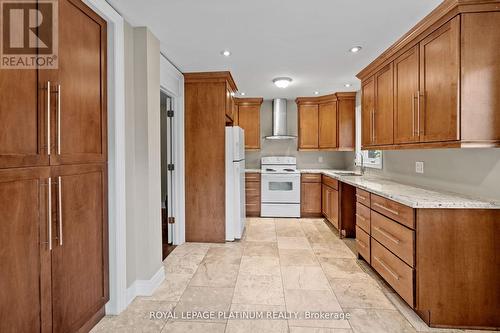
x=474 y=172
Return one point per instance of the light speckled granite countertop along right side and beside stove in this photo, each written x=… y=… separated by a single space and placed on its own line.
x=409 y=195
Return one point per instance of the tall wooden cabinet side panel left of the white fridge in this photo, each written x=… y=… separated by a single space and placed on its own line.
x=205 y=96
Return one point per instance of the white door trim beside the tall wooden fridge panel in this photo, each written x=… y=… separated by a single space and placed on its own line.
x=172 y=82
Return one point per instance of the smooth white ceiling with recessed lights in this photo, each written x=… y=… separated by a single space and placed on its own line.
x=307 y=40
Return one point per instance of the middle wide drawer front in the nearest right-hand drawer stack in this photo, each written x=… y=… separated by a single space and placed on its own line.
x=397 y=238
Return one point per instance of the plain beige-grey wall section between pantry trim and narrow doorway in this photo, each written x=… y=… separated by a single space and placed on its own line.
x=142 y=85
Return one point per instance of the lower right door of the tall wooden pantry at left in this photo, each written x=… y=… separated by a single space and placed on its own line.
x=80 y=255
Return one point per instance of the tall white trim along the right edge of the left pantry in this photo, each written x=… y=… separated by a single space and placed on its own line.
x=116 y=154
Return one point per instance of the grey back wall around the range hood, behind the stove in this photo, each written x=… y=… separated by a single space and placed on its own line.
x=331 y=160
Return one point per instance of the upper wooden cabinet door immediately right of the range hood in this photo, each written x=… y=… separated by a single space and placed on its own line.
x=308 y=127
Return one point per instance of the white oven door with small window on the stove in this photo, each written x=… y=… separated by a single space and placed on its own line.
x=280 y=188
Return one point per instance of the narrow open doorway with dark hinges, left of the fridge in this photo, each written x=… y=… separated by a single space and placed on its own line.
x=167 y=170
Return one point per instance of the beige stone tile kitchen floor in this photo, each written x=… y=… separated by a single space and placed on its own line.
x=293 y=265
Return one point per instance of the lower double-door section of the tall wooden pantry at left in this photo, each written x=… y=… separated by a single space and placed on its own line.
x=54 y=255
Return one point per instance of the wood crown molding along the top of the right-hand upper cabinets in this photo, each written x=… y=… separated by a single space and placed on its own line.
x=440 y=15
